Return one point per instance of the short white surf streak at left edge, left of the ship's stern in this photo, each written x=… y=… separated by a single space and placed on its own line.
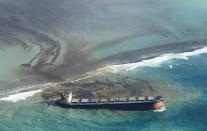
x=20 y=96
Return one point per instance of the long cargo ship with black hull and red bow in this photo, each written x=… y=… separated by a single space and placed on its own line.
x=142 y=103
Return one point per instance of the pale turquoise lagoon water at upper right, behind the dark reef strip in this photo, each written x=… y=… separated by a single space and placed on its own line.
x=175 y=21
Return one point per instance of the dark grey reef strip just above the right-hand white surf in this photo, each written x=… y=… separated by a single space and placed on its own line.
x=152 y=52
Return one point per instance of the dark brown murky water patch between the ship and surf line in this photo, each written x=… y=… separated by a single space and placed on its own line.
x=103 y=86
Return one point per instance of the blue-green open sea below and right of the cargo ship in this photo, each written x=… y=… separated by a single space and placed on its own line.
x=185 y=110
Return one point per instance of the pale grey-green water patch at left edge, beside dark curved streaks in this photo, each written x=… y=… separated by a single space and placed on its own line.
x=10 y=65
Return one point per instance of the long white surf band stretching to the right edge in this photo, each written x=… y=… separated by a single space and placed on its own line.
x=155 y=62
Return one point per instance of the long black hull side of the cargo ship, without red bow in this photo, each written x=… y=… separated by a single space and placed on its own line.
x=145 y=106
